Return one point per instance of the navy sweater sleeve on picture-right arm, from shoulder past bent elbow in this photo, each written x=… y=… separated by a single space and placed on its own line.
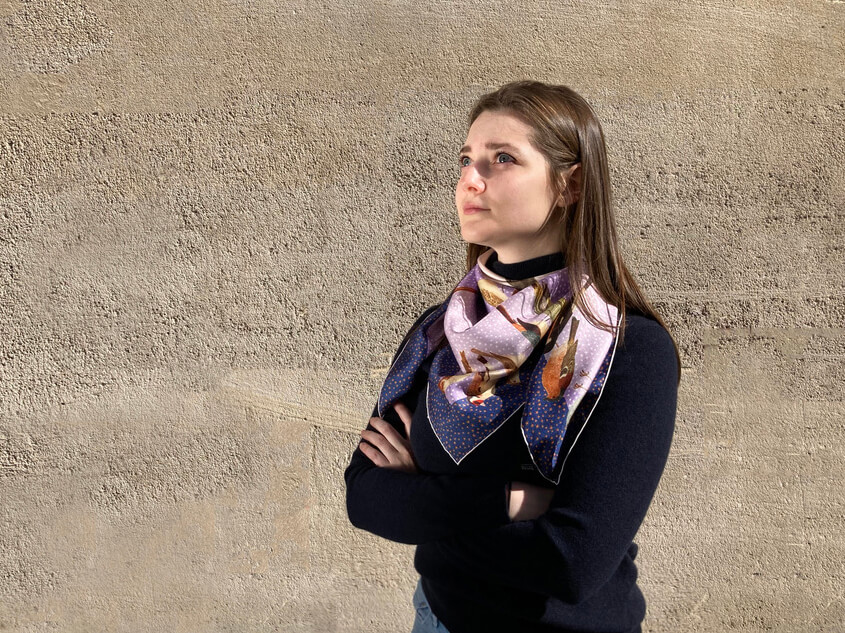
x=607 y=486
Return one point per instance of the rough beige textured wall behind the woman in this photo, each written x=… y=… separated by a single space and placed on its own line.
x=218 y=217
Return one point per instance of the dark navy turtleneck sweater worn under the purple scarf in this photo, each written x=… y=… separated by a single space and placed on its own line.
x=573 y=568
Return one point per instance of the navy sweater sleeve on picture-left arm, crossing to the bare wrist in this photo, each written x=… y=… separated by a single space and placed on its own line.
x=420 y=507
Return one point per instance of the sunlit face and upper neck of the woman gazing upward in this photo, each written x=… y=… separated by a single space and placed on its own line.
x=504 y=193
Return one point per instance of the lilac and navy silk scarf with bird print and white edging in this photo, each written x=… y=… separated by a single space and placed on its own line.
x=491 y=367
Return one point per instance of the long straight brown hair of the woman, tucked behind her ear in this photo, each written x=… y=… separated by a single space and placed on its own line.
x=567 y=131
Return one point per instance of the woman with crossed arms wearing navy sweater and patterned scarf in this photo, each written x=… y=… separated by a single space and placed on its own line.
x=525 y=422
